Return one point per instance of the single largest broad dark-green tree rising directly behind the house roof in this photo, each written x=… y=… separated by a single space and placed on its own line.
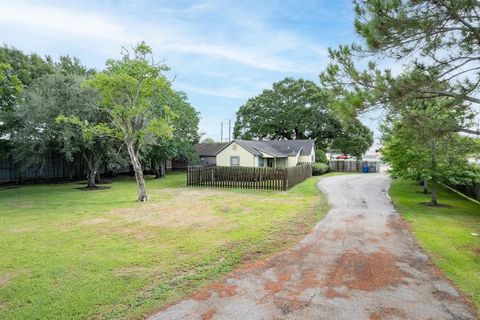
x=292 y=109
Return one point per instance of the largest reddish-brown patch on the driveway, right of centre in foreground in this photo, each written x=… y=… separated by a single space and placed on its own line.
x=365 y=272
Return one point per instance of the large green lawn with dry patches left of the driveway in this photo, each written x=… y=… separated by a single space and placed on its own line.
x=72 y=254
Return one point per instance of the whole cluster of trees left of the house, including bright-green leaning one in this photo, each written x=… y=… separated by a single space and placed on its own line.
x=127 y=113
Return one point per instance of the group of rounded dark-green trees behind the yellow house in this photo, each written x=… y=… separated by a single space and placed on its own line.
x=301 y=109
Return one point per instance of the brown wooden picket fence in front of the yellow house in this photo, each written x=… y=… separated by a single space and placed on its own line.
x=248 y=177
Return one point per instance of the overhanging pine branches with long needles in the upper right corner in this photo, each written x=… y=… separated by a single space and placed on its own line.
x=436 y=42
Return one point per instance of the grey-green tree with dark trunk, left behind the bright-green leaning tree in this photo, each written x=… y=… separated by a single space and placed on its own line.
x=40 y=136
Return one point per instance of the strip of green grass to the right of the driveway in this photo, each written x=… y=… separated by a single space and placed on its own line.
x=445 y=233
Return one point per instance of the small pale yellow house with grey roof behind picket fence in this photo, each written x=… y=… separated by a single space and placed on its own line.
x=275 y=154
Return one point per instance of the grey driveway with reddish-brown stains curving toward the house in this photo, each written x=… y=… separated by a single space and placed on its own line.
x=360 y=262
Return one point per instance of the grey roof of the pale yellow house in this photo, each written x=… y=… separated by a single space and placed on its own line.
x=276 y=148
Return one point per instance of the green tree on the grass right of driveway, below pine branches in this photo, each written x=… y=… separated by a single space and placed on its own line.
x=422 y=142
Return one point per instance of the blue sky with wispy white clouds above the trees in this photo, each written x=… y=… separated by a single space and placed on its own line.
x=220 y=52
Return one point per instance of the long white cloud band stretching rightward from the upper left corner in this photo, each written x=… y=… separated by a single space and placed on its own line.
x=262 y=48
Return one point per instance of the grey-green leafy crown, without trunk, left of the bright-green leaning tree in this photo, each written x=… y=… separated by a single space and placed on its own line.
x=38 y=134
